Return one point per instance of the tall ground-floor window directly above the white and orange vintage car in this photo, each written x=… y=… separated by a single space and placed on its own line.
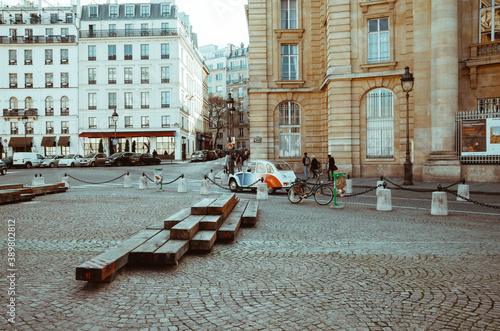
x=289 y=128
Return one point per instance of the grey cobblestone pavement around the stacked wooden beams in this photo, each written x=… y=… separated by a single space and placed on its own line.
x=303 y=267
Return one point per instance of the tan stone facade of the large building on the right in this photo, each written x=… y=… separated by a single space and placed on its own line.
x=339 y=73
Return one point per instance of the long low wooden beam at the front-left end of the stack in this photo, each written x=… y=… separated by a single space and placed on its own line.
x=103 y=267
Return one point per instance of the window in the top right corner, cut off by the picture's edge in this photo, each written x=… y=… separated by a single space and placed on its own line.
x=489 y=21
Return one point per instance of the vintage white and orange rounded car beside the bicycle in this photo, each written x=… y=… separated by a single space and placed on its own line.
x=277 y=175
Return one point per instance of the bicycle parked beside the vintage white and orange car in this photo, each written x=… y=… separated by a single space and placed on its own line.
x=302 y=189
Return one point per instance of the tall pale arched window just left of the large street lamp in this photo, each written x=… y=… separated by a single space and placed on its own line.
x=379 y=124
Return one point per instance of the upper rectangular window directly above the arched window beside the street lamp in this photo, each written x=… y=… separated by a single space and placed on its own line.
x=378 y=40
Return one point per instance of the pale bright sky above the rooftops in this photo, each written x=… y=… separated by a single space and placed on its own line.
x=216 y=22
